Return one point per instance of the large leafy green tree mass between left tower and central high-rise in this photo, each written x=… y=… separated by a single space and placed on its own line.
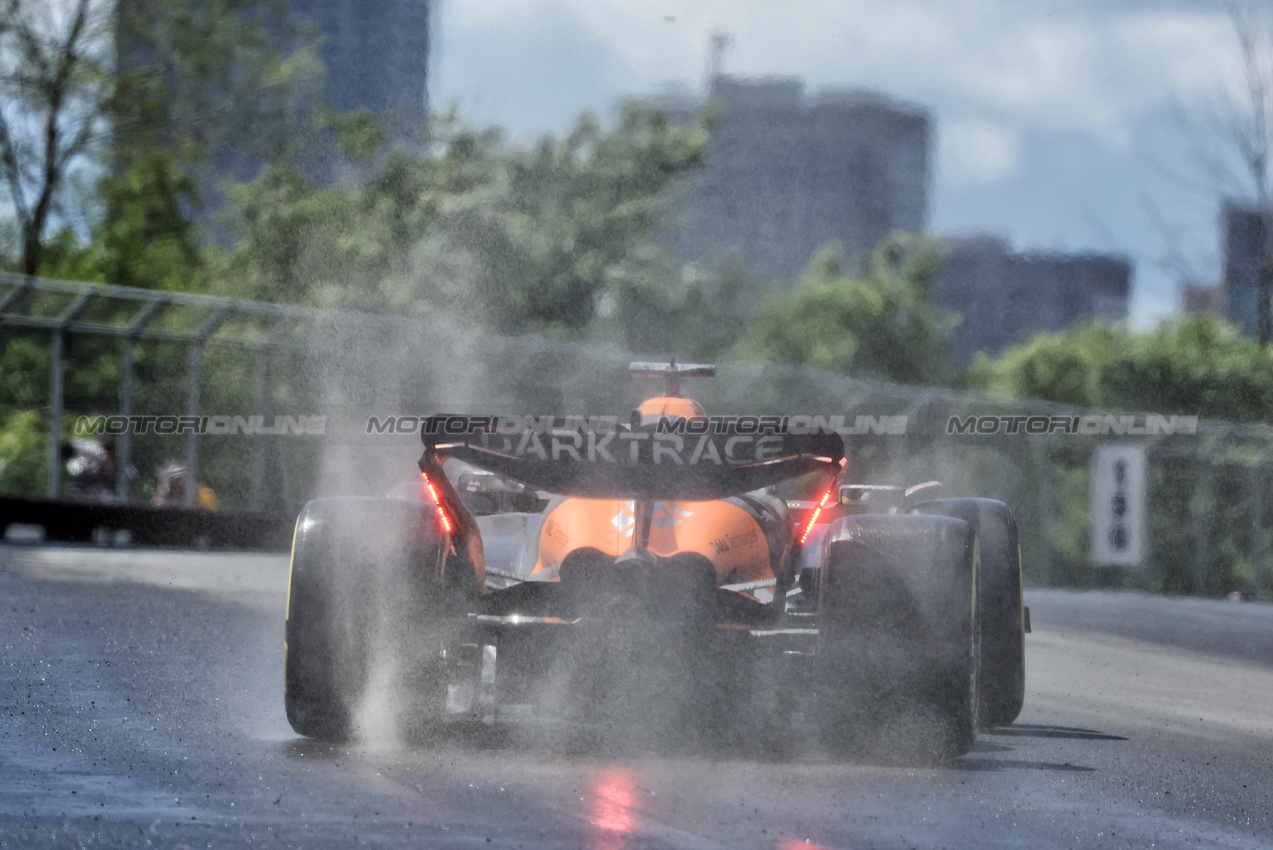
x=520 y=240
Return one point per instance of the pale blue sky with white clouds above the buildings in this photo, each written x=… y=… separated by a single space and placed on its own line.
x=1058 y=124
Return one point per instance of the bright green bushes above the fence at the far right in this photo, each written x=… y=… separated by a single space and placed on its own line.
x=1196 y=365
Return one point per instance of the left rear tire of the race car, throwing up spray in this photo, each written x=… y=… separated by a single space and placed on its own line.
x=369 y=619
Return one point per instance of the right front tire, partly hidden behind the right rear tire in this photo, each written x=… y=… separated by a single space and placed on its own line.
x=1002 y=678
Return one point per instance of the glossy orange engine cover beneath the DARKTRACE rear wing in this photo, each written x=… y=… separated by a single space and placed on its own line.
x=724 y=533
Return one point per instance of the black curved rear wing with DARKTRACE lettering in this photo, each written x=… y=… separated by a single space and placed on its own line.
x=669 y=460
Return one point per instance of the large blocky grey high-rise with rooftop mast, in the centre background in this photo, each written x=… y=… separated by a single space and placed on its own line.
x=791 y=174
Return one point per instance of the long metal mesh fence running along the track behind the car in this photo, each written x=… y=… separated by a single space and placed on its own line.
x=170 y=354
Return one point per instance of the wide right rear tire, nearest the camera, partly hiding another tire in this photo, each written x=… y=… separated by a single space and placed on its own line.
x=898 y=638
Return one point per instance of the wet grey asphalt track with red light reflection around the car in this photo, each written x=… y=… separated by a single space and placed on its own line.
x=142 y=707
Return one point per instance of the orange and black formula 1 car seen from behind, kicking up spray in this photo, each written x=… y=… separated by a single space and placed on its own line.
x=645 y=578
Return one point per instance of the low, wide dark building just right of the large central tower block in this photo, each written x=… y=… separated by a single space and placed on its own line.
x=1006 y=297
